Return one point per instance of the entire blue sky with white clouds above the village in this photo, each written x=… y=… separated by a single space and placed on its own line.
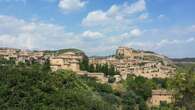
x=99 y=27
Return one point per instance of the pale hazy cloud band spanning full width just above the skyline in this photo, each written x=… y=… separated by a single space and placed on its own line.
x=19 y=33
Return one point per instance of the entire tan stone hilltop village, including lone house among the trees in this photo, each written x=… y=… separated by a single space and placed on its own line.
x=126 y=61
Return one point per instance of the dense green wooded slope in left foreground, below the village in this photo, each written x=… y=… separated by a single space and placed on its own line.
x=36 y=87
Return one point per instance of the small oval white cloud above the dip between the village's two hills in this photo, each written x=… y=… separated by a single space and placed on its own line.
x=92 y=35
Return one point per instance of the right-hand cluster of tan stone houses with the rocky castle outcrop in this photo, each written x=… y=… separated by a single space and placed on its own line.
x=140 y=63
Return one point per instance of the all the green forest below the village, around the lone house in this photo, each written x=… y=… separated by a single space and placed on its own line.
x=35 y=87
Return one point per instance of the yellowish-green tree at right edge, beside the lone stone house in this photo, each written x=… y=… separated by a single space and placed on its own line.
x=184 y=89
